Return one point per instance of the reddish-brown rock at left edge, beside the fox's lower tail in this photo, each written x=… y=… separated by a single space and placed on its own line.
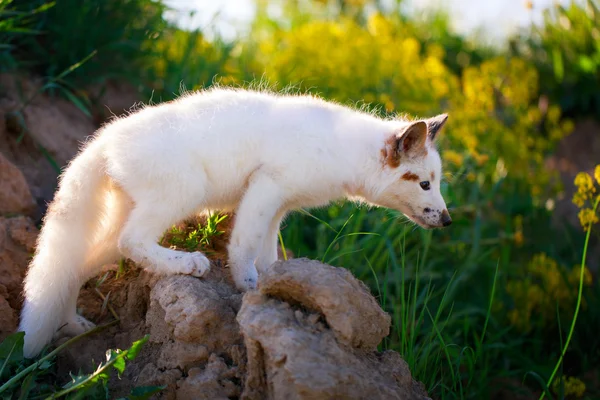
x=17 y=243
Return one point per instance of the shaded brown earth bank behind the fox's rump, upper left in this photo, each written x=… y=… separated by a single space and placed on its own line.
x=40 y=138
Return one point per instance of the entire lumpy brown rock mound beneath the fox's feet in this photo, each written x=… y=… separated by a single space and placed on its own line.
x=208 y=341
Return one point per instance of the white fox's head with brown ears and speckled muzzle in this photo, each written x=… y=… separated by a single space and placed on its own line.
x=412 y=172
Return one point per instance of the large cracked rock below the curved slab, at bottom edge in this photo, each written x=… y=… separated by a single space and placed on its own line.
x=292 y=357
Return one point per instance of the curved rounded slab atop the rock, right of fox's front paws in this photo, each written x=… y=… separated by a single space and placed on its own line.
x=349 y=308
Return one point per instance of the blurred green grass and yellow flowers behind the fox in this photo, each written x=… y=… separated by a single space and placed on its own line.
x=480 y=310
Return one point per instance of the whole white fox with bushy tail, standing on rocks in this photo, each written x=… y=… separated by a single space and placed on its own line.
x=260 y=154
